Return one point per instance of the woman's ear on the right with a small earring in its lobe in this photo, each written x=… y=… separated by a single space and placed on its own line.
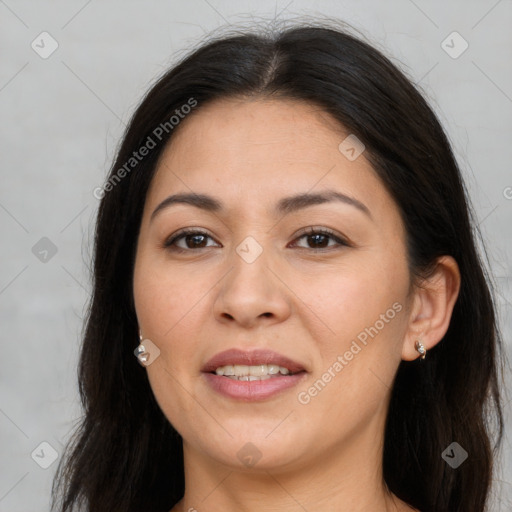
x=432 y=306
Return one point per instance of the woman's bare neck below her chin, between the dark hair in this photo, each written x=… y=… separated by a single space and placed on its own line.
x=347 y=478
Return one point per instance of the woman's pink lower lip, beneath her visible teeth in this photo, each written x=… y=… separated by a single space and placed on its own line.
x=253 y=390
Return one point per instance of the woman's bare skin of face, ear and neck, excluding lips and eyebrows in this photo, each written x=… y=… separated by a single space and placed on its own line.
x=308 y=304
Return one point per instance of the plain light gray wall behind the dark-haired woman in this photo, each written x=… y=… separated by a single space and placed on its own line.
x=62 y=117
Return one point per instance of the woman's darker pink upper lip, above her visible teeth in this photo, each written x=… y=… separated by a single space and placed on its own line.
x=252 y=358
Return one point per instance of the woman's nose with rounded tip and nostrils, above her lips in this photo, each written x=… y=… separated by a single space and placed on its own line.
x=252 y=294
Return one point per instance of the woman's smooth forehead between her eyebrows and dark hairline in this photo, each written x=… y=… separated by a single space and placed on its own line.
x=255 y=151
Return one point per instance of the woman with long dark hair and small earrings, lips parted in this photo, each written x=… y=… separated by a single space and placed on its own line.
x=285 y=244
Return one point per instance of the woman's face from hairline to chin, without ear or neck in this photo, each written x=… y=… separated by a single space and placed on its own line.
x=323 y=283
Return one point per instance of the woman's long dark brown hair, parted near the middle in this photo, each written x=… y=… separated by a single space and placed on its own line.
x=125 y=455
